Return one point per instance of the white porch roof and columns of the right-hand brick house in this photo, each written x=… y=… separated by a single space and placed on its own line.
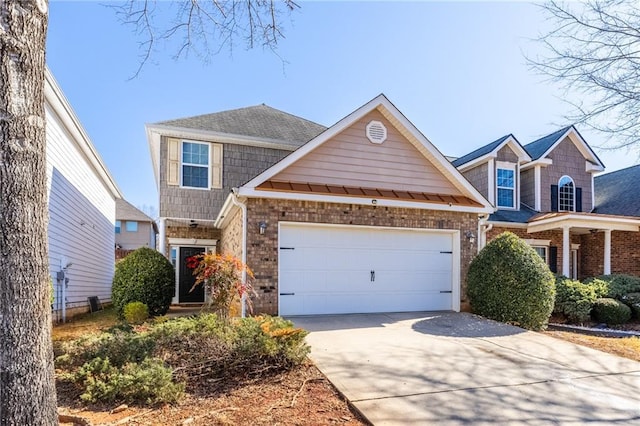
x=579 y=224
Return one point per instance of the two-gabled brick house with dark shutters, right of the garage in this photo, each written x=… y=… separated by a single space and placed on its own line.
x=547 y=193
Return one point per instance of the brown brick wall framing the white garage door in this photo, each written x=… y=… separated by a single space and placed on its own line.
x=262 y=250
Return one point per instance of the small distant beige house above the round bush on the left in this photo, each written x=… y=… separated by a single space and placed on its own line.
x=134 y=229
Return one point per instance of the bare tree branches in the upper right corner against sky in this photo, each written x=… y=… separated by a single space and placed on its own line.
x=594 y=53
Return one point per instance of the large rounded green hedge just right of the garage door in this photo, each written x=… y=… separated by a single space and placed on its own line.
x=509 y=282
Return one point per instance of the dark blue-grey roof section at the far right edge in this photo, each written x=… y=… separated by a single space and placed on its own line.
x=618 y=192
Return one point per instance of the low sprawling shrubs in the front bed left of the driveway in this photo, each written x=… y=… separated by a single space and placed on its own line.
x=157 y=362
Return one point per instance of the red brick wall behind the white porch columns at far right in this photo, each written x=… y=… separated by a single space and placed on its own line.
x=625 y=253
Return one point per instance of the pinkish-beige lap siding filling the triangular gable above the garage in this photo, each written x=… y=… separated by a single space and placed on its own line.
x=350 y=159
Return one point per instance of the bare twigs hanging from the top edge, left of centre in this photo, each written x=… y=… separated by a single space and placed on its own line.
x=203 y=27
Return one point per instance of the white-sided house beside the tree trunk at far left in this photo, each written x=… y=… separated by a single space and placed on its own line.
x=81 y=196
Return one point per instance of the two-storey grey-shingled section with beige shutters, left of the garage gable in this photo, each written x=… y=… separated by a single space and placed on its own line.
x=196 y=163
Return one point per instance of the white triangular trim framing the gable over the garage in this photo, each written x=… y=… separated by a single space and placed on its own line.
x=409 y=132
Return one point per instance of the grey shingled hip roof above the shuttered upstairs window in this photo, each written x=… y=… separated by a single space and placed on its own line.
x=259 y=121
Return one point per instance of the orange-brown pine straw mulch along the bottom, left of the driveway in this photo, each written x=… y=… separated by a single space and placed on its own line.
x=302 y=396
